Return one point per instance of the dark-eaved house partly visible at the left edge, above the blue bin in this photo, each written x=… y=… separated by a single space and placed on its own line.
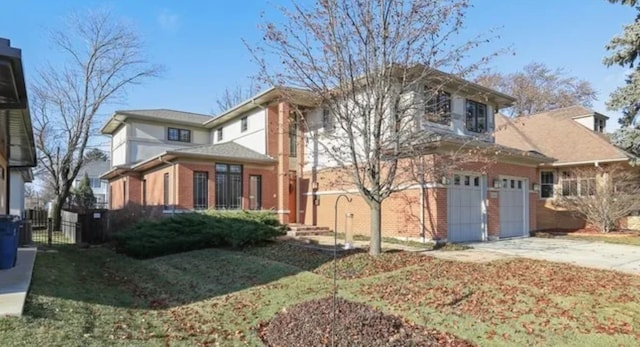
x=17 y=149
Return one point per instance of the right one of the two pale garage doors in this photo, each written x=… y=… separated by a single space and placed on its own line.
x=514 y=214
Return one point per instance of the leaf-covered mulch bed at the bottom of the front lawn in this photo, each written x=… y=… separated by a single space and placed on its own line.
x=310 y=324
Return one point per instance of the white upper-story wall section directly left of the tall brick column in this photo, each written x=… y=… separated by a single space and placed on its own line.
x=254 y=137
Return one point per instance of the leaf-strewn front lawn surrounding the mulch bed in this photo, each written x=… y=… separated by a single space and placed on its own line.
x=85 y=297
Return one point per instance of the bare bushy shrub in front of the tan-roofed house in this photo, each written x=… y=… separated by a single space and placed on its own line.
x=601 y=195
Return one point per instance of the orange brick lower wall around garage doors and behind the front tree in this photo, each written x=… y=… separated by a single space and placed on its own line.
x=401 y=211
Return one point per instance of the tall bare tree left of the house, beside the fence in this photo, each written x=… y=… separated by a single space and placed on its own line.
x=102 y=57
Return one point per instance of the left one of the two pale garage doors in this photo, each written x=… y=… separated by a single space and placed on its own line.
x=465 y=208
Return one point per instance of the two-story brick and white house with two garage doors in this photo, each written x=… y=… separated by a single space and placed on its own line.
x=255 y=156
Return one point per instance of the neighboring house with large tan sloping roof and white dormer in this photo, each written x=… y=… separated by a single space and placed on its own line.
x=574 y=137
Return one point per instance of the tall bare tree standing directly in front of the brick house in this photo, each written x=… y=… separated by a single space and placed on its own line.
x=366 y=62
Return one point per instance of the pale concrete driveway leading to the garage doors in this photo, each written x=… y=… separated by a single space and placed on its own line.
x=583 y=253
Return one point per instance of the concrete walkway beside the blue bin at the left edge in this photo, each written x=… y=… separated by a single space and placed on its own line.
x=14 y=283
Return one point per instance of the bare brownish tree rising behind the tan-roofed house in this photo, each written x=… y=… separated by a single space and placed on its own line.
x=538 y=88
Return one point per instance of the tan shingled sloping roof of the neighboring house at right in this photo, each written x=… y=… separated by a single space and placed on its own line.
x=557 y=135
